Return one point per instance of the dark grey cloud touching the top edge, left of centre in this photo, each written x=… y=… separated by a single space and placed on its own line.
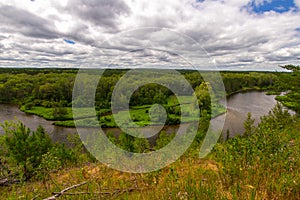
x=99 y=12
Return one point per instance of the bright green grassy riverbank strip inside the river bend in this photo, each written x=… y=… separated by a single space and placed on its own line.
x=139 y=114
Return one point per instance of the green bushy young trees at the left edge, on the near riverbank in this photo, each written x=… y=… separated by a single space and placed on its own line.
x=30 y=153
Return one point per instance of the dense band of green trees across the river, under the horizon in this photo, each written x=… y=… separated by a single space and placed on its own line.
x=50 y=87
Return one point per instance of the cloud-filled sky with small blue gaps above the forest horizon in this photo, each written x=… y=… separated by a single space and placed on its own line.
x=206 y=34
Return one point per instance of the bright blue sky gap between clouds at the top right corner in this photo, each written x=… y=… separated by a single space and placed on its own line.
x=279 y=6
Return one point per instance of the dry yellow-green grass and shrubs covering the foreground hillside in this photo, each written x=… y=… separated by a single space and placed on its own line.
x=261 y=164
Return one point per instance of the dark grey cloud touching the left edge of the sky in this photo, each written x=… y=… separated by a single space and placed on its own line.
x=15 y=20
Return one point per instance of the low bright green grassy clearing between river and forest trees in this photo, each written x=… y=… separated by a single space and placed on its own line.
x=139 y=114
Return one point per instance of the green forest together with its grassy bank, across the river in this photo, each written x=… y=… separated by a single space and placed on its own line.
x=48 y=93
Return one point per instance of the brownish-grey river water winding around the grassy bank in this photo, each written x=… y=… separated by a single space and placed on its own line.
x=238 y=105
